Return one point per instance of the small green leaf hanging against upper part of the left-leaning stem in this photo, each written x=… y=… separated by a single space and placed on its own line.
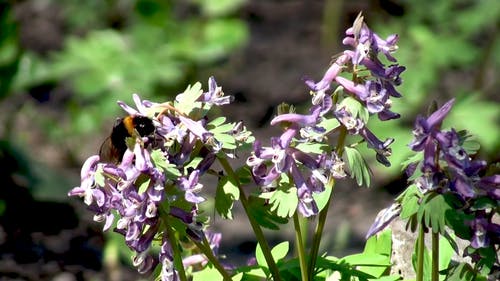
x=227 y=192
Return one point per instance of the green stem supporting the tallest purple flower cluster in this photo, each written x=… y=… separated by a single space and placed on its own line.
x=323 y=214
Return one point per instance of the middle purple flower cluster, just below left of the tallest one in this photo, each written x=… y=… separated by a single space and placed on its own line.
x=270 y=163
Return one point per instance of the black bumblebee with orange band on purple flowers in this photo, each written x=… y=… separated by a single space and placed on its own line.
x=115 y=145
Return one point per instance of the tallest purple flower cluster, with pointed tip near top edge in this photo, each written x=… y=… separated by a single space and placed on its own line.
x=372 y=91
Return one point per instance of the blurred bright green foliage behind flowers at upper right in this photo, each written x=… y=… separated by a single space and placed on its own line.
x=449 y=50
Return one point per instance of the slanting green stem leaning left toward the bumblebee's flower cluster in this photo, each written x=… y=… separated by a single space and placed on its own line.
x=259 y=234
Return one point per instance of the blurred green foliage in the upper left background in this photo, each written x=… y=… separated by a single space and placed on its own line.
x=112 y=49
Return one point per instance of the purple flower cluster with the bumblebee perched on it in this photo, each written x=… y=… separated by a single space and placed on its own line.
x=157 y=181
